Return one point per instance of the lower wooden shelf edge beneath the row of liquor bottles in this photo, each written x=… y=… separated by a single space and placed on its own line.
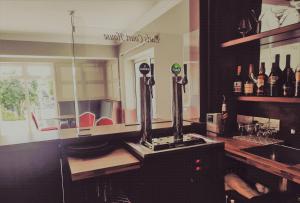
x=269 y=99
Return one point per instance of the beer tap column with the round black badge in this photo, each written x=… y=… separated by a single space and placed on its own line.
x=146 y=84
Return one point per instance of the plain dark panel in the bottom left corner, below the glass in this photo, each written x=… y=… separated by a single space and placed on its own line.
x=30 y=173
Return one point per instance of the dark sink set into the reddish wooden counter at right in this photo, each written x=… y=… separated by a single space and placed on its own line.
x=280 y=153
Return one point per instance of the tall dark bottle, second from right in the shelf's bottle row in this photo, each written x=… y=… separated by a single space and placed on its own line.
x=288 y=79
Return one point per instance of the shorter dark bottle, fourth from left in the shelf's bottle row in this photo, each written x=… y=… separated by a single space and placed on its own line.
x=274 y=82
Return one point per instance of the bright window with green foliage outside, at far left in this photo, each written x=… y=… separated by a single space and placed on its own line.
x=26 y=88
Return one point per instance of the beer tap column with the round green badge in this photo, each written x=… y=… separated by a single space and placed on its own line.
x=178 y=84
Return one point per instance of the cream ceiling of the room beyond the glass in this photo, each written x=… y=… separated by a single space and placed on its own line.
x=49 y=20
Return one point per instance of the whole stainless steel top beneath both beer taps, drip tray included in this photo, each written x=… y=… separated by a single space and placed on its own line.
x=145 y=151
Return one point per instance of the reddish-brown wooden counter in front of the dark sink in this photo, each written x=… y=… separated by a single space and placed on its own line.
x=233 y=149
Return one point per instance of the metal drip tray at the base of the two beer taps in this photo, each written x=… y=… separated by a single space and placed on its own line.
x=169 y=142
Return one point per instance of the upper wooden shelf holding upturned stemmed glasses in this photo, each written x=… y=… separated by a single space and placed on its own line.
x=268 y=37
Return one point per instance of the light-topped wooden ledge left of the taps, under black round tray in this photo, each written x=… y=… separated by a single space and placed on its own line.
x=117 y=161
